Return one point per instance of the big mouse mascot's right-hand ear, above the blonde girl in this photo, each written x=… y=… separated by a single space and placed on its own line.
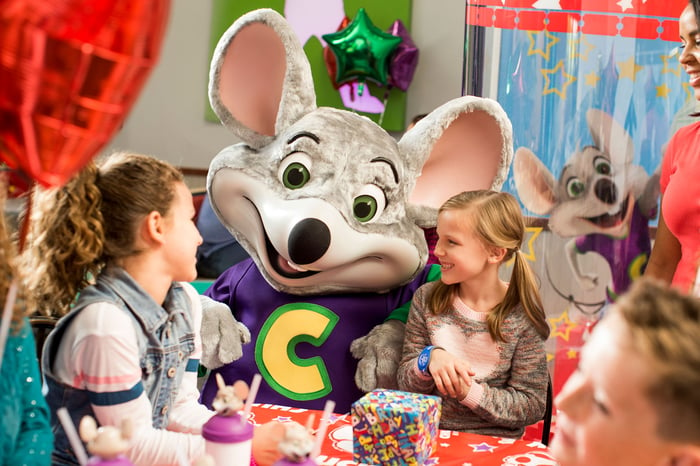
x=463 y=145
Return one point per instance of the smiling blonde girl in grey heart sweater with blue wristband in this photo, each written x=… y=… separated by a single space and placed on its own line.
x=471 y=338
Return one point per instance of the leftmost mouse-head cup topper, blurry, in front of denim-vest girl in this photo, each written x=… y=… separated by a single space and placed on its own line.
x=107 y=444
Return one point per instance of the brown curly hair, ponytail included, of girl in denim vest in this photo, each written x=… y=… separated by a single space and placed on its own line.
x=90 y=222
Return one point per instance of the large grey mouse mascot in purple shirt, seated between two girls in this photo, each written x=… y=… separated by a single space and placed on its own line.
x=331 y=209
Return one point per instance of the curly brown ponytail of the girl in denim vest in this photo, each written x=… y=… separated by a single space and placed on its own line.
x=65 y=242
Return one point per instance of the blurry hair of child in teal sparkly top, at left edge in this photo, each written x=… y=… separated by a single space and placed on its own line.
x=8 y=264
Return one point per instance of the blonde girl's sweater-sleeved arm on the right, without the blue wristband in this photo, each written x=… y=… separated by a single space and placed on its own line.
x=521 y=401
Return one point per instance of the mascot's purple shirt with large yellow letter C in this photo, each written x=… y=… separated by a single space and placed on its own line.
x=300 y=344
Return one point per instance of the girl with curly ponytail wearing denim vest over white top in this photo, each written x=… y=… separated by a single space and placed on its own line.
x=121 y=235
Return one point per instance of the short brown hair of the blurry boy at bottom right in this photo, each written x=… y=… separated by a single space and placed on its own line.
x=664 y=326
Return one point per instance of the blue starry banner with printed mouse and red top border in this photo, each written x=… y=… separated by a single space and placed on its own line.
x=594 y=91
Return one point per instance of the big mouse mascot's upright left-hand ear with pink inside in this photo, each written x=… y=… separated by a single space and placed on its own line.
x=260 y=79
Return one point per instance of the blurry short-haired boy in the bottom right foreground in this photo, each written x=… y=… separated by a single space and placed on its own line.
x=634 y=399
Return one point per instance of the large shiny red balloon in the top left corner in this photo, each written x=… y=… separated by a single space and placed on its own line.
x=70 y=71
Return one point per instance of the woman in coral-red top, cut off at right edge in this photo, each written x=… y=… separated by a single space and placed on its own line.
x=676 y=251
